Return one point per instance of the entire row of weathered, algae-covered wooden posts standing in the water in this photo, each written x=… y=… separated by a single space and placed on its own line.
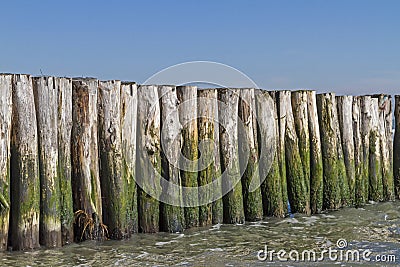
x=72 y=152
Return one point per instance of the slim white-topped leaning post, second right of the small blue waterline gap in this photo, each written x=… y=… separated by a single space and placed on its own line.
x=316 y=164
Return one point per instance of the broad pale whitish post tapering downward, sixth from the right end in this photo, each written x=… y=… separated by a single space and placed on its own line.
x=345 y=115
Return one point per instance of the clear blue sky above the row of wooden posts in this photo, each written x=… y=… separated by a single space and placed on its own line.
x=347 y=46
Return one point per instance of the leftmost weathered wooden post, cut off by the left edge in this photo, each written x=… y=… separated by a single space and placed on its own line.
x=5 y=129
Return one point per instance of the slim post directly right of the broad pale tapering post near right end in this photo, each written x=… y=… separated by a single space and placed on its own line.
x=359 y=187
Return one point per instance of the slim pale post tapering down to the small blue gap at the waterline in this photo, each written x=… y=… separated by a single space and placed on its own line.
x=281 y=98
